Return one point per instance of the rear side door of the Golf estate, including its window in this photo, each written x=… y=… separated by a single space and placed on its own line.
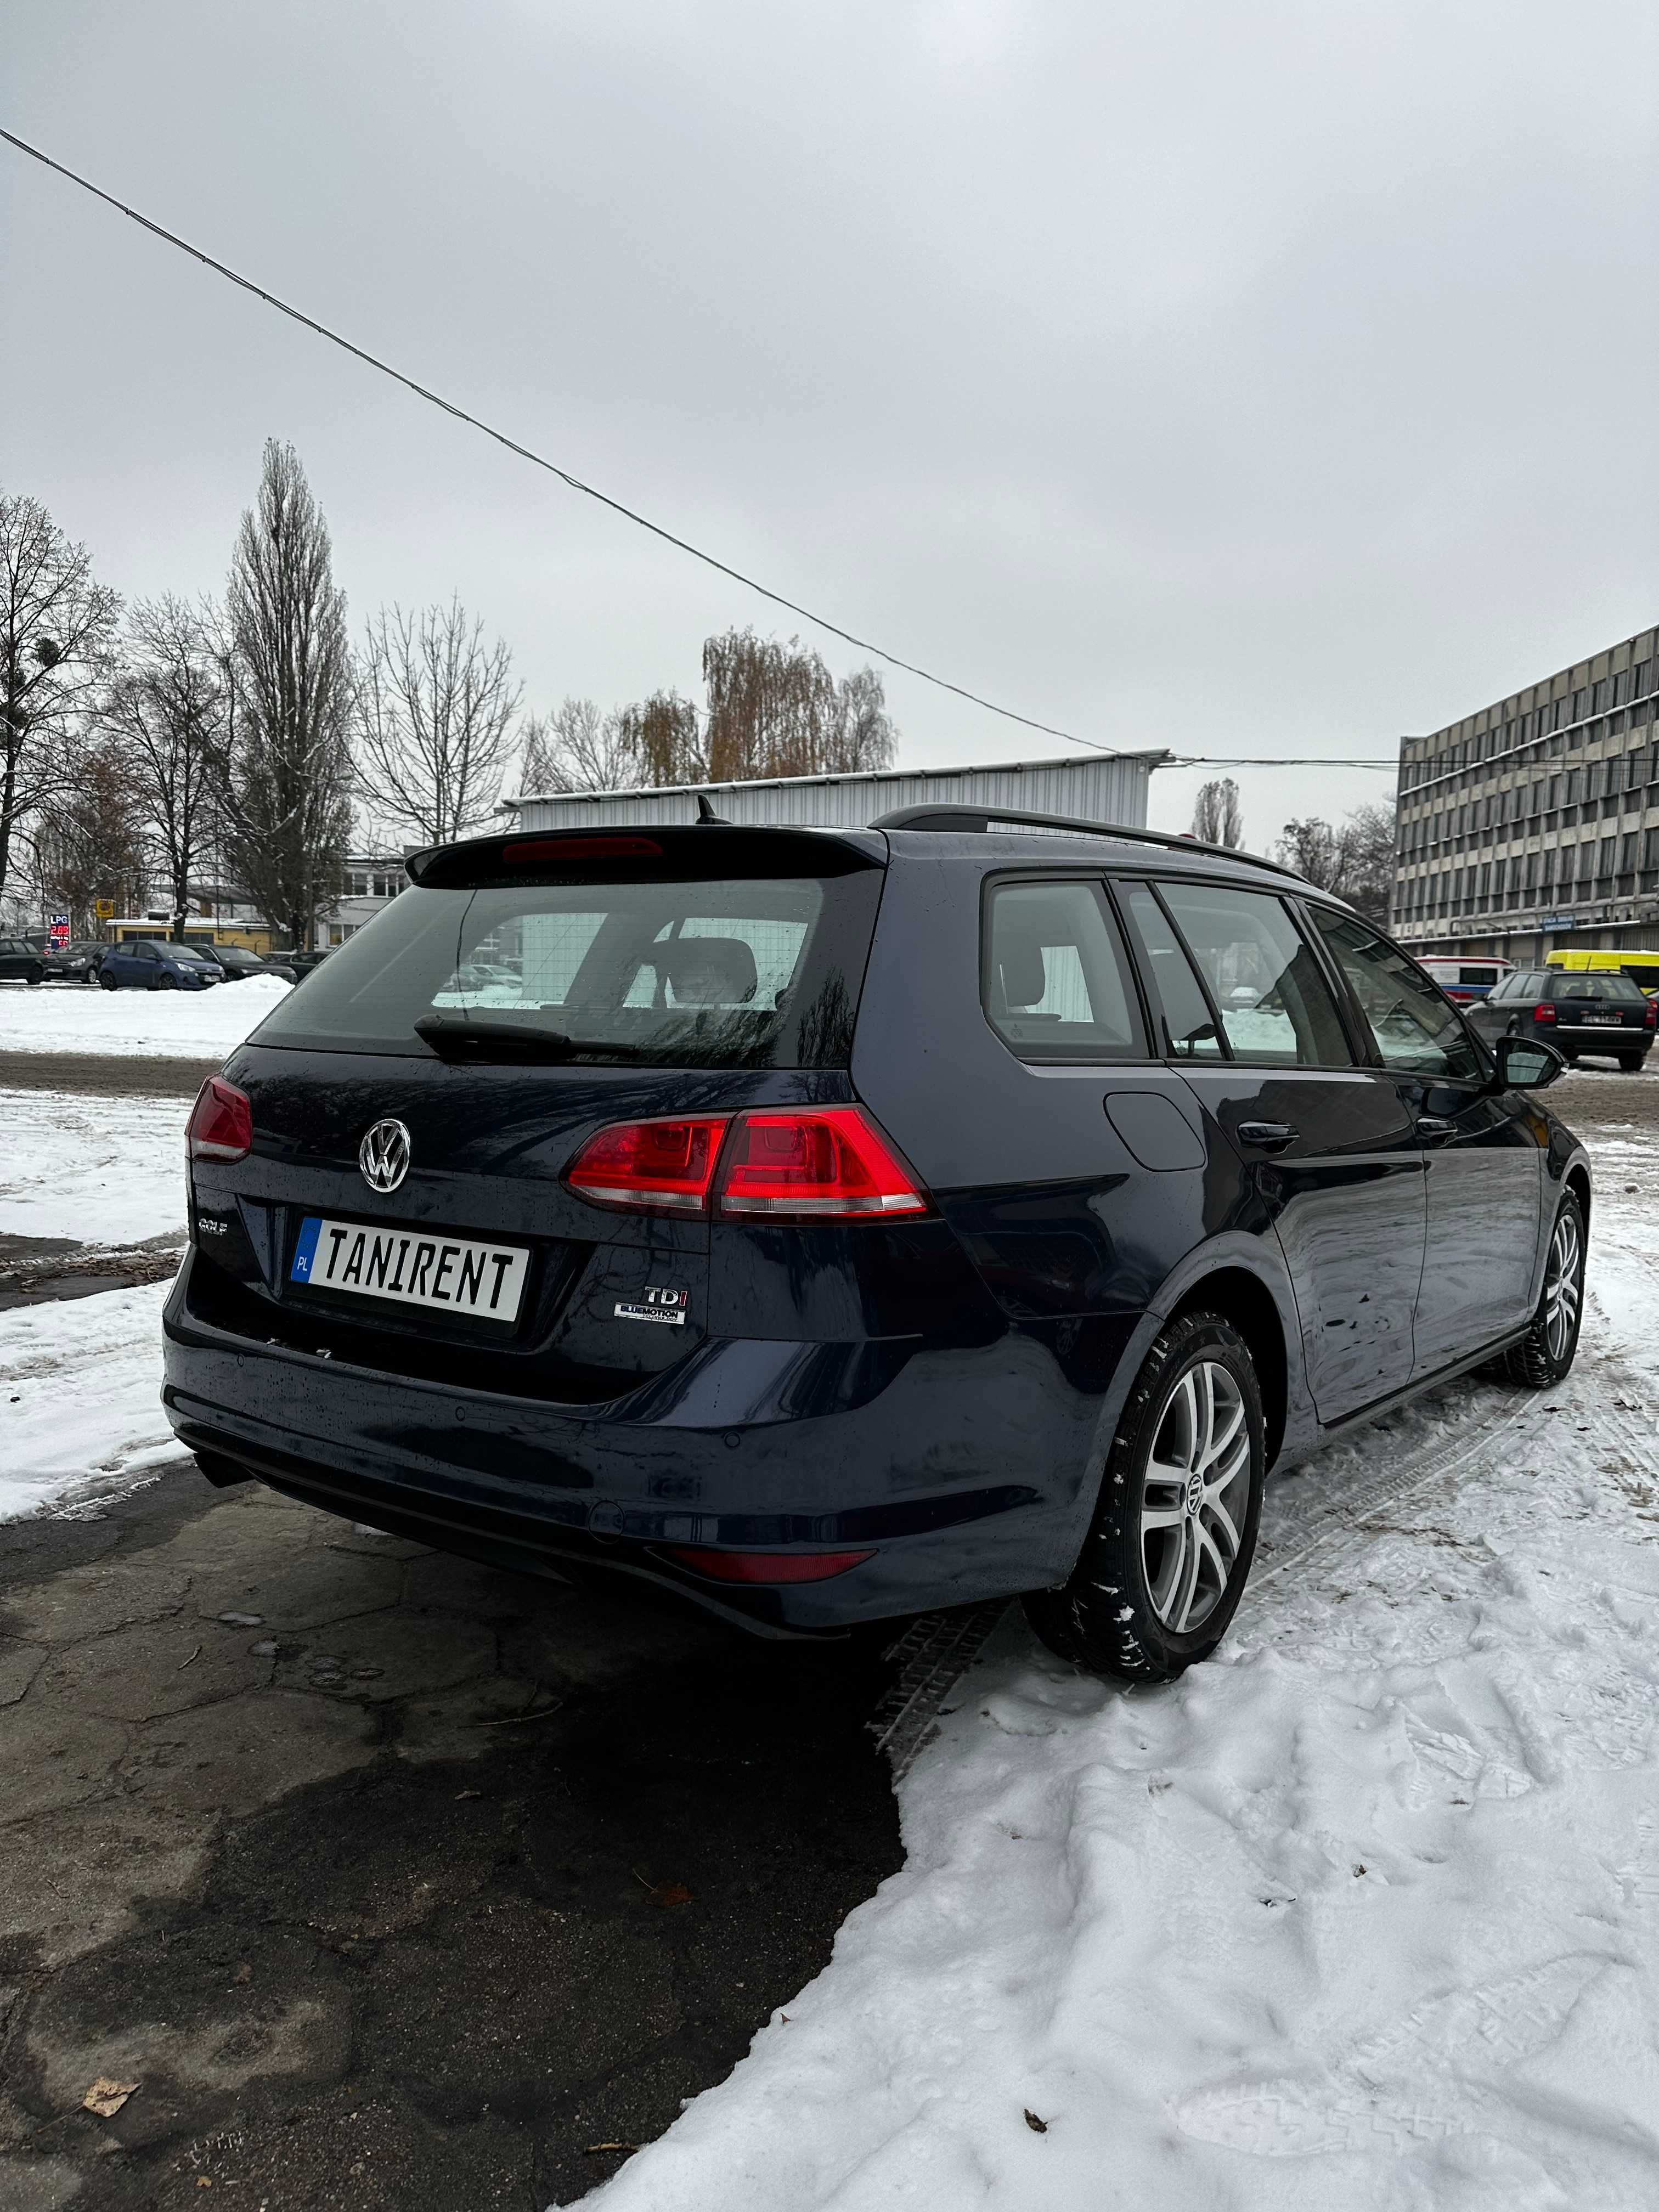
x=1333 y=1156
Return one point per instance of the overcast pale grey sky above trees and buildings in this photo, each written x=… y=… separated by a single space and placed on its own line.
x=1224 y=377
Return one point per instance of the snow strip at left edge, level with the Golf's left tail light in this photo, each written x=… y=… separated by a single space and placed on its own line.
x=94 y=1169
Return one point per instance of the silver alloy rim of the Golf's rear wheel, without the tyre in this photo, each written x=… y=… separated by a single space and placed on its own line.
x=1196 y=1499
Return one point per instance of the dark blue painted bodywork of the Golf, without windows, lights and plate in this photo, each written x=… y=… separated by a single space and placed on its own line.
x=939 y=1390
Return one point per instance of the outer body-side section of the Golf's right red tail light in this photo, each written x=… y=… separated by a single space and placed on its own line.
x=813 y=1165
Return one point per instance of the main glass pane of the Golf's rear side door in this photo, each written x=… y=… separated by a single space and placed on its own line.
x=1264 y=979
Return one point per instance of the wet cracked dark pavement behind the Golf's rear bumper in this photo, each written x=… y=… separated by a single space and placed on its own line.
x=346 y=1853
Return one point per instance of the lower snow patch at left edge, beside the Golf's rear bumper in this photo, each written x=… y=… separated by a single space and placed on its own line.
x=81 y=1397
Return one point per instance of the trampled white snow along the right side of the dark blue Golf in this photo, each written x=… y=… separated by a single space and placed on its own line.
x=1361 y=1914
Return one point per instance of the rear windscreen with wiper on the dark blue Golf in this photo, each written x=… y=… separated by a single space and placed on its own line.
x=707 y=974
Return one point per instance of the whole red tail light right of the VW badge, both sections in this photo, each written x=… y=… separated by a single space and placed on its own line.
x=828 y=1165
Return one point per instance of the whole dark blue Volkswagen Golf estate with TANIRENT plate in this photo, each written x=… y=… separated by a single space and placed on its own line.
x=844 y=1224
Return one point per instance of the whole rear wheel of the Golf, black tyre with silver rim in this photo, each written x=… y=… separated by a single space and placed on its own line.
x=1167 y=1556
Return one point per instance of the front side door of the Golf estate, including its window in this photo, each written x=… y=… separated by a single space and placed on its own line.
x=1483 y=1149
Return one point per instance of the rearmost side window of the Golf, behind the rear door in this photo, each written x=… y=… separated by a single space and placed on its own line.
x=1056 y=983
